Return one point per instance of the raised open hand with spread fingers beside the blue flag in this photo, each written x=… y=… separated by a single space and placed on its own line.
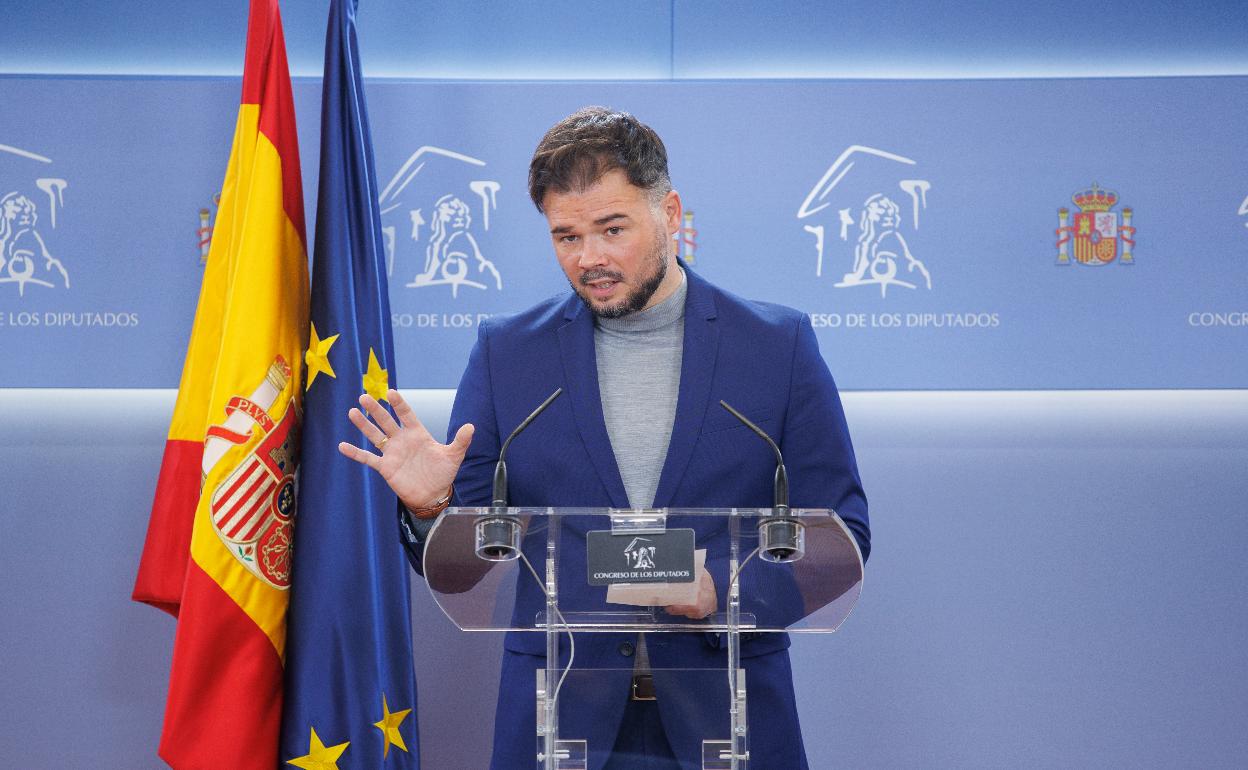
x=416 y=466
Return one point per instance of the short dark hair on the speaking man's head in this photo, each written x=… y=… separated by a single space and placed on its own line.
x=578 y=150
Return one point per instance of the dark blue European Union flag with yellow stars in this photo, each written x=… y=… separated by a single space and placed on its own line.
x=350 y=685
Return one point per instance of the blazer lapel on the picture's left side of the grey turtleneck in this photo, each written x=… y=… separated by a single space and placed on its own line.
x=581 y=374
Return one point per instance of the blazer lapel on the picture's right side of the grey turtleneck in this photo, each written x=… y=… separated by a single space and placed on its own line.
x=697 y=376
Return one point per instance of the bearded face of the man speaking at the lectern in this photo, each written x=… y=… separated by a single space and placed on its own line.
x=615 y=246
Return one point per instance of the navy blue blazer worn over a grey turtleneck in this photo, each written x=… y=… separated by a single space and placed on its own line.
x=759 y=358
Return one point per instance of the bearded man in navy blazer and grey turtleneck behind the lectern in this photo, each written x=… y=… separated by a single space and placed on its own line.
x=643 y=350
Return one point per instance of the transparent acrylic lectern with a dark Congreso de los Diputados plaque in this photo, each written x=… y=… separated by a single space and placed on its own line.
x=556 y=571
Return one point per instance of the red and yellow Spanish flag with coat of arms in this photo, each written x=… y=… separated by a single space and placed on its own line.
x=218 y=555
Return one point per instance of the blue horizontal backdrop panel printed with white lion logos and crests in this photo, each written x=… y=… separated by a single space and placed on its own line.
x=972 y=230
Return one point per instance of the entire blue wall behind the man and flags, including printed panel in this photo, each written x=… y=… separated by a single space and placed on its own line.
x=1054 y=436
